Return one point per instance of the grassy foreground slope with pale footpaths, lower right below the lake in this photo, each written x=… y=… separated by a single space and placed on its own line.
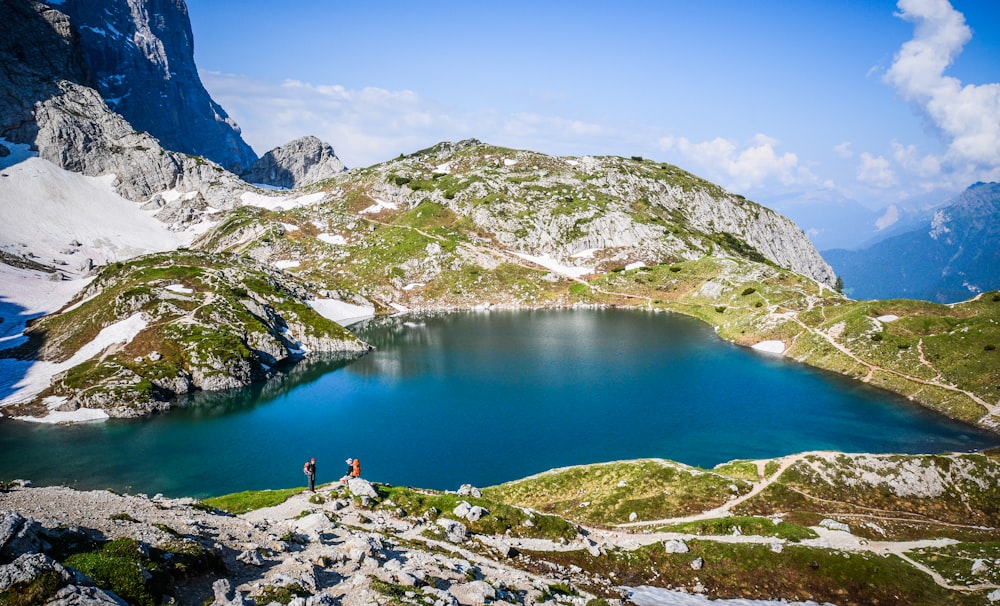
x=750 y=529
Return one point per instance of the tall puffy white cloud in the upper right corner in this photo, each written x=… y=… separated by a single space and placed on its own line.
x=967 y=115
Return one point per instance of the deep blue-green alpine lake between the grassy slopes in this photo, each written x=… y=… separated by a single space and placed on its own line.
x=484 y=398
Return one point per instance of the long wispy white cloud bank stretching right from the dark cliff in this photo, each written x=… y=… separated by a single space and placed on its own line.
x=371 y=125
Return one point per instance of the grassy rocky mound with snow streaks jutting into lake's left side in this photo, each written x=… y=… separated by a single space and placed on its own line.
x=217 y=322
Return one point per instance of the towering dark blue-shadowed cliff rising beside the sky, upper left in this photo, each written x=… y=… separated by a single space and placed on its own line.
x=140 y=55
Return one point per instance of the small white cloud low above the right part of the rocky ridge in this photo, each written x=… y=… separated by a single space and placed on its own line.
x=749 y=166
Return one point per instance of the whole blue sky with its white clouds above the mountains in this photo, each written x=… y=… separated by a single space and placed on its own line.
x=868 y=100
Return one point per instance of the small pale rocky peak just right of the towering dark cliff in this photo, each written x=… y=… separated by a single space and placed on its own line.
x=301 y=162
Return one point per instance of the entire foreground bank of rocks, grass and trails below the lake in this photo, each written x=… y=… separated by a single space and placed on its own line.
x=696 y=531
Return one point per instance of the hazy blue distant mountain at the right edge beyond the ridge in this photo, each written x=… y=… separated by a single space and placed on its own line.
x=951 y=257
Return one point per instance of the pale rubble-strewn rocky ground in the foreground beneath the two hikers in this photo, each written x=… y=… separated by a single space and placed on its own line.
x=324 y=548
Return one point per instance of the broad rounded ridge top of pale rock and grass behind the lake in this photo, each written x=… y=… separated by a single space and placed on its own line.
x=602 y=212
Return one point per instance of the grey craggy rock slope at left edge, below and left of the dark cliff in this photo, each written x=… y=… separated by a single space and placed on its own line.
x=48 y=99
